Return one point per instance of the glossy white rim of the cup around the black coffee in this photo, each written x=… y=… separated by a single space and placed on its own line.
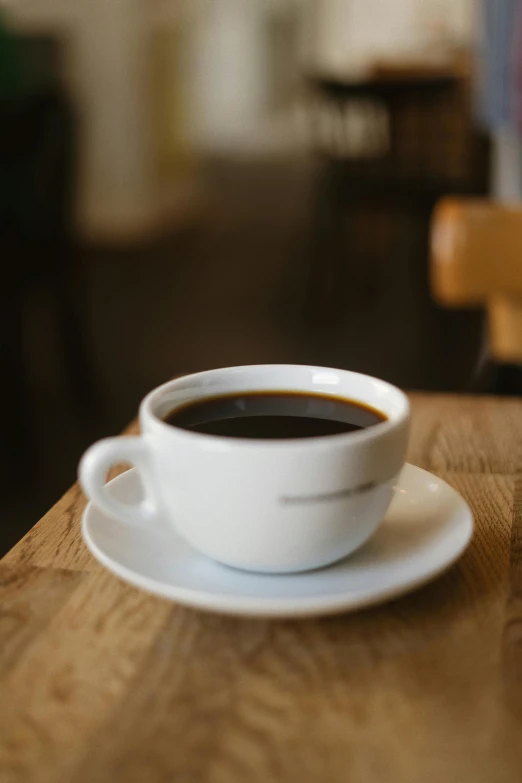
x=394 y=420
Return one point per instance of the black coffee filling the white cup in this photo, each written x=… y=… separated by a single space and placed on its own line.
x=274 y=415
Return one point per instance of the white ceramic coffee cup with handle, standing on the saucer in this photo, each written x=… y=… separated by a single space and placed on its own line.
x=260 y=505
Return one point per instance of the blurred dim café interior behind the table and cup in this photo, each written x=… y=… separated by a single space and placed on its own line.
x=187 y=184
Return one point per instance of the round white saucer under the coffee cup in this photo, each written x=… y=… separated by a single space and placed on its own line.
x=426 y=528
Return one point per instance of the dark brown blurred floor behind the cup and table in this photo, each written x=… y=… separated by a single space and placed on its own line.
x=229 y=290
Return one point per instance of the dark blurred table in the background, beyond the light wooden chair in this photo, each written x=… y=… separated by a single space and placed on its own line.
x=391 y=145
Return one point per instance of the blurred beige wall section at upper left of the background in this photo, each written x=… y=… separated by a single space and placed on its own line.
x=106 y=43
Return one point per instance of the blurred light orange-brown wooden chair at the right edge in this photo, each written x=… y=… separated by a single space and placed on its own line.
x=476 y=259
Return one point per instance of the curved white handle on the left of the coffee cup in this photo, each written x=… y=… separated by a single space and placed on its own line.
x=93 y=471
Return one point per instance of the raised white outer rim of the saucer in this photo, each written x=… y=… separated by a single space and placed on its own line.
x=273 y=607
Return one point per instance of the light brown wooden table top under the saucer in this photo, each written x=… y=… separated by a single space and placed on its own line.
x=100 y=682
